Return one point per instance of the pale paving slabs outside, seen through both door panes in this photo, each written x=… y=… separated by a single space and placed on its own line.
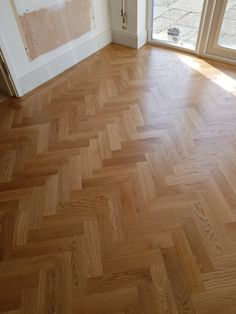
x=185 y=15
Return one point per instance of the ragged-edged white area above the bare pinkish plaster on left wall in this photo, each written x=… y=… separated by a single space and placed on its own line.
x=27 y=6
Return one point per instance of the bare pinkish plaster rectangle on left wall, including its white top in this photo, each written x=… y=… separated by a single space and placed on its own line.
x=46 y=25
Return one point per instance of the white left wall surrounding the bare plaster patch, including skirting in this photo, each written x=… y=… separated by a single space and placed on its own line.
x=30 y=74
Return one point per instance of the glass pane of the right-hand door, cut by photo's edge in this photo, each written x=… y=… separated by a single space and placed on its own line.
x=227 y=36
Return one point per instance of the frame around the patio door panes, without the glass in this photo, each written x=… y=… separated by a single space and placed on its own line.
x=203 y=35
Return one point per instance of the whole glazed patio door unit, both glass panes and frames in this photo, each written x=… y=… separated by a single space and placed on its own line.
x=205 y=27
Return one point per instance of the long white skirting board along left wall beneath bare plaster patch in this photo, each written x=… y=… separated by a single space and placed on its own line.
x=51 y=69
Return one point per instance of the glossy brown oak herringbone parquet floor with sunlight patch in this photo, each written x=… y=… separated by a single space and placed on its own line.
x=118 y=189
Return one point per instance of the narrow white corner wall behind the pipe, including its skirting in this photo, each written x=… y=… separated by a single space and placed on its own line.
x=136 y=34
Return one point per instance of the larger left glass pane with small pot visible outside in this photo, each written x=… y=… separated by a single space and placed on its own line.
x=177 y=22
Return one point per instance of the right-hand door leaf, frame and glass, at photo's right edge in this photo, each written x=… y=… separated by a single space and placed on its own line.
x=222 y=38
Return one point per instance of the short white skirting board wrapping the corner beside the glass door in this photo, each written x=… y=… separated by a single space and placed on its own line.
x=129 y=39
